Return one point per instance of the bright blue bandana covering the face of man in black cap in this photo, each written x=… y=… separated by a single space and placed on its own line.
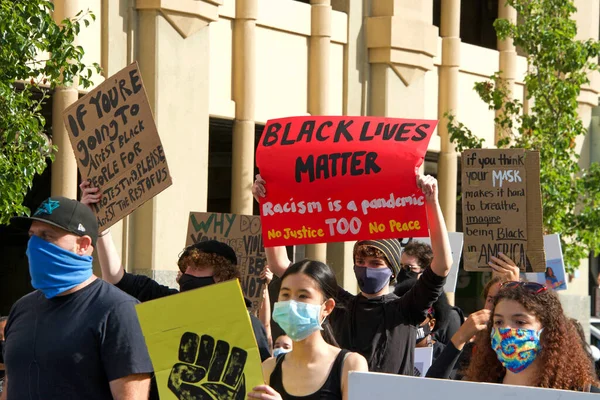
x=55 y=270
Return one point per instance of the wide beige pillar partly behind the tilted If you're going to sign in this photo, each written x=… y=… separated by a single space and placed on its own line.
x=176 y=81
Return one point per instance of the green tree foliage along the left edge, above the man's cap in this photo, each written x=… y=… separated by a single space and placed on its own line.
x=38 y=53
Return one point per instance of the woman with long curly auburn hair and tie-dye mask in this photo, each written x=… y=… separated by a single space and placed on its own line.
x=530 y=342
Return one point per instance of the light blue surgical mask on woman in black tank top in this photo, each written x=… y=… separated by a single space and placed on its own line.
x=298 y=320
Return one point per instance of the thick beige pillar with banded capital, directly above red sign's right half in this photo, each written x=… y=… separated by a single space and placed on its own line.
x=402 y=43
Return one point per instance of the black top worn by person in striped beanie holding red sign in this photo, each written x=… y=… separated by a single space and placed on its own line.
x=383 y=329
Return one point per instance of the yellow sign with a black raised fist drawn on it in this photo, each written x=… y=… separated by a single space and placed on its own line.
x=203 y=354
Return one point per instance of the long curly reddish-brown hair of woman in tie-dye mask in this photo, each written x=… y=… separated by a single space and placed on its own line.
x=565 y=363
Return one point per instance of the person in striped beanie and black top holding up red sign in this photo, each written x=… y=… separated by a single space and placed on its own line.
x=376 y=323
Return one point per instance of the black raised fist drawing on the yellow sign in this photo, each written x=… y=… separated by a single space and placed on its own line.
x=207 y=371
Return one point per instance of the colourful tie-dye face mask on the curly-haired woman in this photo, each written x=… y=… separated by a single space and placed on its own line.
x=516 y=348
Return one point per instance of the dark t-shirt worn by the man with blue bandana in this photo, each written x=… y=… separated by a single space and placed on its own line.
x=71 y=347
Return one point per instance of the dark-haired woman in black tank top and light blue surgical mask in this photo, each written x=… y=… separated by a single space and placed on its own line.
x=316 y=368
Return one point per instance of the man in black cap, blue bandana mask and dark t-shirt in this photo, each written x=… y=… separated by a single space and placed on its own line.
x=75 y=336
